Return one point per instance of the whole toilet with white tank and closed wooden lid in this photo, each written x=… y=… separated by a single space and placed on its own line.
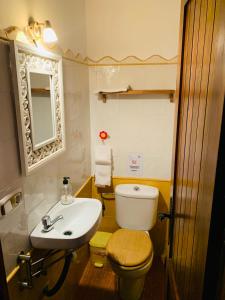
x=130 y=249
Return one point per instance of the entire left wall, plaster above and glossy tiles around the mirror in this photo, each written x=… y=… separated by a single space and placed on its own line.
x=42 y=189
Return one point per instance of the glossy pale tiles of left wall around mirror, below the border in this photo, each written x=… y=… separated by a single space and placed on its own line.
x=41 y=190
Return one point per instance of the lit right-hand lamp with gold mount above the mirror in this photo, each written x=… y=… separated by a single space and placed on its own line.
x=42 y=31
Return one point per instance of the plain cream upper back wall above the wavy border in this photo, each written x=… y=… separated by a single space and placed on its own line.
x=132 y=27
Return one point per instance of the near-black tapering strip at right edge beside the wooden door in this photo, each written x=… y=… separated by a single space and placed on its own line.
x=214 y=281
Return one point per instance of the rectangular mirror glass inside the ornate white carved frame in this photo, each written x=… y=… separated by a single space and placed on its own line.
x=42 y=105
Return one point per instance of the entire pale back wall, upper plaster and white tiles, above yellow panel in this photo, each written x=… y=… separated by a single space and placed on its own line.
x=135 y=124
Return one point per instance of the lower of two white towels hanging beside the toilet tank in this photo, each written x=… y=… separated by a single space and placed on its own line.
x=103 y=175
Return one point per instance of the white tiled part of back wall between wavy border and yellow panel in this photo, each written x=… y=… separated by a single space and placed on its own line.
x=139 y=124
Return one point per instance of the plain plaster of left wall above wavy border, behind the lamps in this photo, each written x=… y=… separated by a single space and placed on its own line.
x=67 y=18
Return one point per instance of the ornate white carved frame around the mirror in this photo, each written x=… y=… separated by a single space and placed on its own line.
x=24 y=60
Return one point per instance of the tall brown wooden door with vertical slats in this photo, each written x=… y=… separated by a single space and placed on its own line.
x=198 y=133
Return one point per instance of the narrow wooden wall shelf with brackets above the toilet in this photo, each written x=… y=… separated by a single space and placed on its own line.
x=104 y=95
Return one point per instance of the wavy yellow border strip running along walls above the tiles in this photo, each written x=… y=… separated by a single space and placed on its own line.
x=108 y=60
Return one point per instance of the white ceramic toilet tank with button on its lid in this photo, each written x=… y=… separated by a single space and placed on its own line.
x=136 y=206
